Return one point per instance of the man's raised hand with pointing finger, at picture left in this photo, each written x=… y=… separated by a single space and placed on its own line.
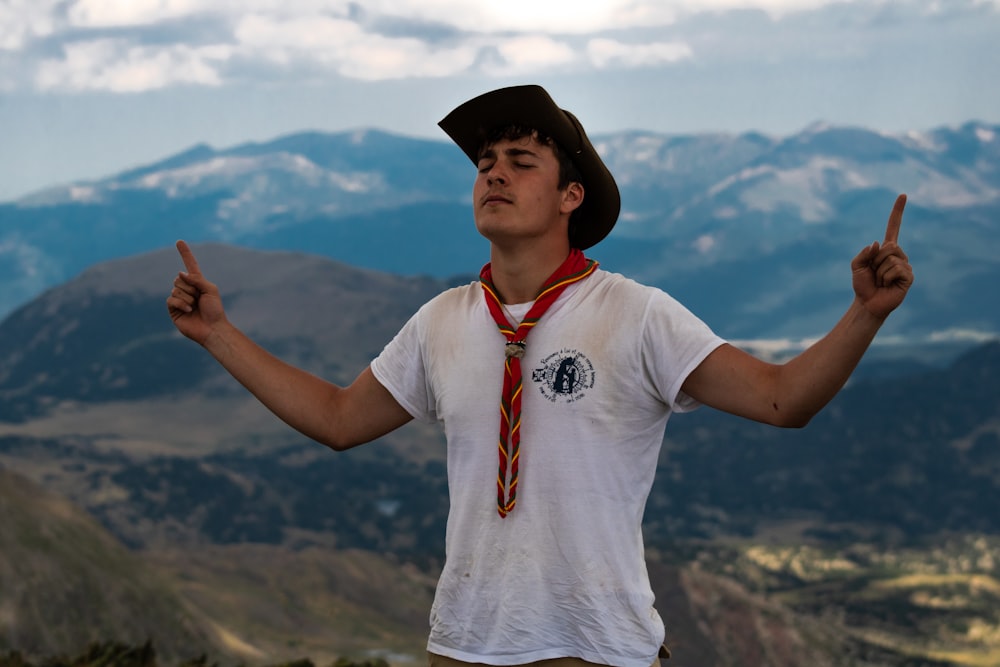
x=194 y=303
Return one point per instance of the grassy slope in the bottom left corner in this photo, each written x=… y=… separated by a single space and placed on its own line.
x=65 y=582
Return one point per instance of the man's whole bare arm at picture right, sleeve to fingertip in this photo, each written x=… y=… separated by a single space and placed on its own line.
x=790 y=394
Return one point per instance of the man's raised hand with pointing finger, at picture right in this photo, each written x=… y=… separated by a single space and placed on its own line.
x=882 y=274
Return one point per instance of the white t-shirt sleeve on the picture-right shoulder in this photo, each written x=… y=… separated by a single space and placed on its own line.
x=674 y=342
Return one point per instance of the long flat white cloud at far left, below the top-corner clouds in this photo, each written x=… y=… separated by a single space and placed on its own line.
x=115 y=66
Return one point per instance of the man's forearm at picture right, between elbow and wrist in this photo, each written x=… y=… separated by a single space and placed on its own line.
x=806 y=383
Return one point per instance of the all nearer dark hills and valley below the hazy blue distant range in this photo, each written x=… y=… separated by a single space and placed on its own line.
x=271 y=546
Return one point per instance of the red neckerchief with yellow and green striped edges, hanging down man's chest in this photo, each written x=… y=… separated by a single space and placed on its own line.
x=575 y=268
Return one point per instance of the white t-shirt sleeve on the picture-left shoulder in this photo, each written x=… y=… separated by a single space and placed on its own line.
x=401 y=369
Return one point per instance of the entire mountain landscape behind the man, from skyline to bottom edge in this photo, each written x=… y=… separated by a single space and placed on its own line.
x=138 y=479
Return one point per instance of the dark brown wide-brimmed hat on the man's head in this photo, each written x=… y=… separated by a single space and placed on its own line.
x=532 y=106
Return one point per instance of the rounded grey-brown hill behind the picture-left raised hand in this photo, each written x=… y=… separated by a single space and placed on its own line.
x=105 y=335
